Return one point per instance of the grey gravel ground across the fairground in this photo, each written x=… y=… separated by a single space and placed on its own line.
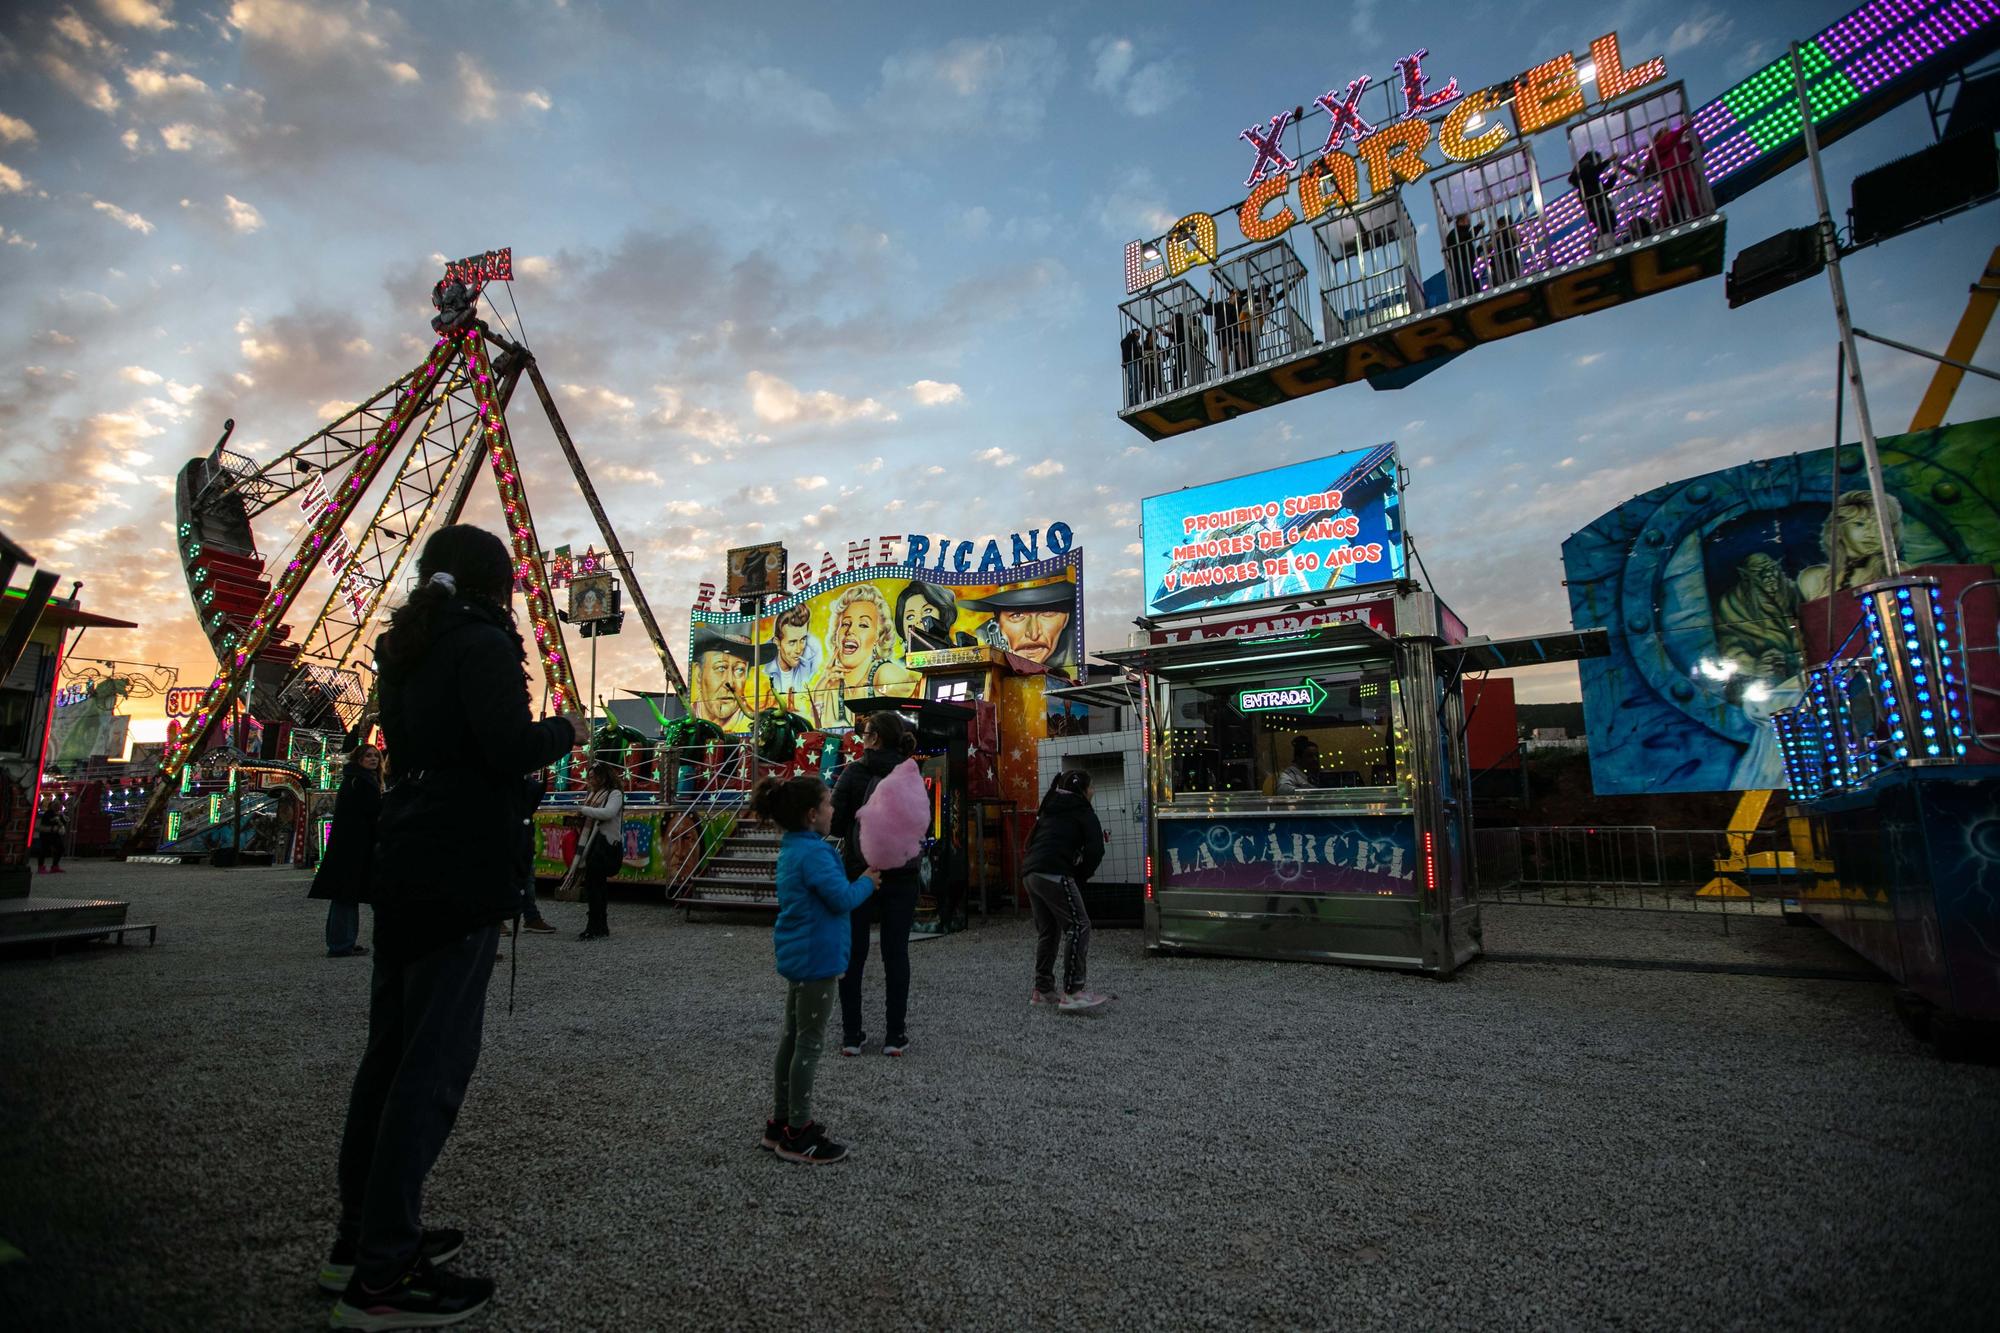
x=1231 y=1146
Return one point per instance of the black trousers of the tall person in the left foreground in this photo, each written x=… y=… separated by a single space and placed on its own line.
x=425 y=1022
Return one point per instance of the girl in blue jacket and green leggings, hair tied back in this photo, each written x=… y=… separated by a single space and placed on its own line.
x=811 y=942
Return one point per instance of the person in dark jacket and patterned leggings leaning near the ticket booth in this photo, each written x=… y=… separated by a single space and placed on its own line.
x=1063 y=852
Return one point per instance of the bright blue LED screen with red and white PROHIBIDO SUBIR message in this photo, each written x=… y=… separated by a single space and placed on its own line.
x=1295 y=531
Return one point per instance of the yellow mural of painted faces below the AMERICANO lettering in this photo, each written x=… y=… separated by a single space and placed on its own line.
x=849 y=637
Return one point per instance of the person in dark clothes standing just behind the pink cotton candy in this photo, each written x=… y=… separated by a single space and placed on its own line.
x=891 y=744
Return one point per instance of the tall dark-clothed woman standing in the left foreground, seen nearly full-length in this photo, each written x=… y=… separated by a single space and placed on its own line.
x=455 y=714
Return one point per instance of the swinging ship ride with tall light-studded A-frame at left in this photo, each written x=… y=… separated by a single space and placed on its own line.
x=429 y=433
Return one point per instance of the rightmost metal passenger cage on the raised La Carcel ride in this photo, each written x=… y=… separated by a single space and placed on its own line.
x=1637 y=169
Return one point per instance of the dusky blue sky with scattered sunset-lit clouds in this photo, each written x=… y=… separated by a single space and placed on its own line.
x=819 y=273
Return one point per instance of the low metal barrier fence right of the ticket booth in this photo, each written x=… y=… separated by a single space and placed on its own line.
x=1637 y=868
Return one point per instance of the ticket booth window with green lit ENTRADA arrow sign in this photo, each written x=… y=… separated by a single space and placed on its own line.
x=1223 y=744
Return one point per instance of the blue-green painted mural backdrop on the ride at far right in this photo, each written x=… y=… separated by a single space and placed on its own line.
x=1701 y=587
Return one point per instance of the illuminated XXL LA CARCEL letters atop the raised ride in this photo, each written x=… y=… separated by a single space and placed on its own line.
x=1391 y=151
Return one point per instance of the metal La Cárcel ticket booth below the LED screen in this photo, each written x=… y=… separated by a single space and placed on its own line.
x=1309 y=792
